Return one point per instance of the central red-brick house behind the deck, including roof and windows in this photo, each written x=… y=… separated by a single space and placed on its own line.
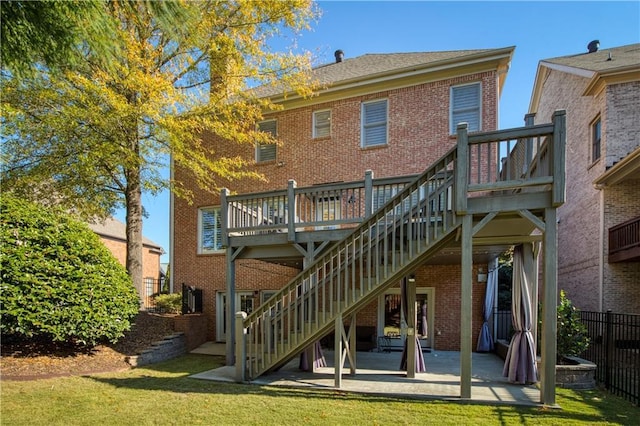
x=393 y=114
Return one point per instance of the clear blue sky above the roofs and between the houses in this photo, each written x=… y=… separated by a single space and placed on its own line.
x=538 y=30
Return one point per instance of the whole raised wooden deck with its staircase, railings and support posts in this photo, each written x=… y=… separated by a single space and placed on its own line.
x=353 y=240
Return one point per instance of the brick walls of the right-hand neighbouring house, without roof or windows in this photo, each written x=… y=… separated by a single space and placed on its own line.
x=582 y=241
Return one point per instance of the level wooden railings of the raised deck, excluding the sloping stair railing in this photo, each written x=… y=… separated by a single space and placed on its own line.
x=519 y=160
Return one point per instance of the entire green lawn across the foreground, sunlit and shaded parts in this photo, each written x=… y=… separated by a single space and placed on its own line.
x=163 y=394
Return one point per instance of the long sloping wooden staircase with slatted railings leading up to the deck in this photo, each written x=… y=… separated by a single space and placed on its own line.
x=398 y=237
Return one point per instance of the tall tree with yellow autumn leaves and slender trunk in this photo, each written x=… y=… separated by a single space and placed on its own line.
x=94 y=137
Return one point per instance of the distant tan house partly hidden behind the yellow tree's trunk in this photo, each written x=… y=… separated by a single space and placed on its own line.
x=112 y=233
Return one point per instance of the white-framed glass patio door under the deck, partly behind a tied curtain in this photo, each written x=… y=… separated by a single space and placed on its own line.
x=393 y=325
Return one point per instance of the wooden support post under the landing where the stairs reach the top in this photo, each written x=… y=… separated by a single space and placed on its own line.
x=466 y=306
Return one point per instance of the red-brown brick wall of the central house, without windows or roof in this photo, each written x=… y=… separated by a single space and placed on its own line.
x=418 y=134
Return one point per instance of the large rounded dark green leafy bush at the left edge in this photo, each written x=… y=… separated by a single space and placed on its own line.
x=57 y=280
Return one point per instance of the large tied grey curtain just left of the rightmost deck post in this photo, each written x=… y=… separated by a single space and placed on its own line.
x=520 y=363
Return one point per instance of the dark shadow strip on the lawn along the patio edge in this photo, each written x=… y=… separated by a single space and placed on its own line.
x=173 y=376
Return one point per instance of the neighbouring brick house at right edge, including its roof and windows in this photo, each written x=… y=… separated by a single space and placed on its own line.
x=600 y=91
